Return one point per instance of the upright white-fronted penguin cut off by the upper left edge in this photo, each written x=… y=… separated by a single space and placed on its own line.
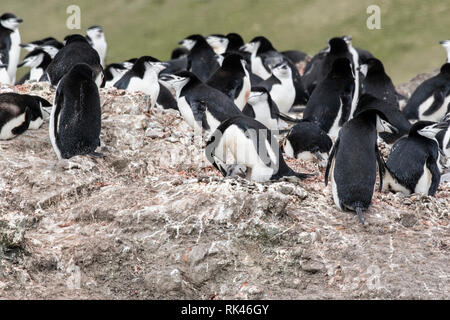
x=10 y=43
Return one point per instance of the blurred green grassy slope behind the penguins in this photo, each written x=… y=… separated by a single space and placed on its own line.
x=407 y=43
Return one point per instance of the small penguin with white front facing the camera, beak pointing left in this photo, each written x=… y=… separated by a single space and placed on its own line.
x=281 y=86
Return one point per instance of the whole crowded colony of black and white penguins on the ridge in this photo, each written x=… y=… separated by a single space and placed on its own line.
x=252 y=103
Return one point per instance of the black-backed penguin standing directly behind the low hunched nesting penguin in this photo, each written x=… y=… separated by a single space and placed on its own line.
x=330 y=104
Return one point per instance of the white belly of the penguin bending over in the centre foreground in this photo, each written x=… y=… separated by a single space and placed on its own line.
x=244 y=153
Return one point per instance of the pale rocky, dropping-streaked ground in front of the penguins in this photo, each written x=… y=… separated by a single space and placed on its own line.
x=154 y=220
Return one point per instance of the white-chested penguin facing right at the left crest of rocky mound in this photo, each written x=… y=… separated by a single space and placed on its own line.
x=143 y=77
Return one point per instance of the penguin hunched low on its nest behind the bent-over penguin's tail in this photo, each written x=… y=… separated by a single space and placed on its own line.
x=306 y=141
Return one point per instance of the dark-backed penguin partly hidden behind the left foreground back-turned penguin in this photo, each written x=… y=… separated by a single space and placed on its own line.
x=76 y=50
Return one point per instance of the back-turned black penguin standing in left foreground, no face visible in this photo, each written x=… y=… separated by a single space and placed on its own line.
x=75 y=121
